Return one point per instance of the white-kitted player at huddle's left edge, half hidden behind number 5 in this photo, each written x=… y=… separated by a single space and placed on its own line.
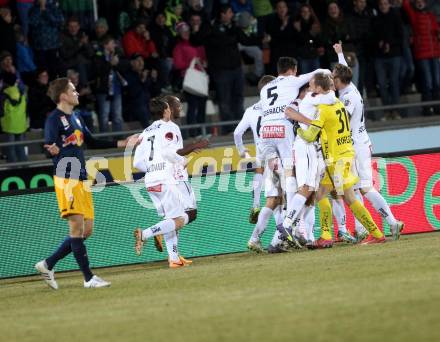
x=252 y=119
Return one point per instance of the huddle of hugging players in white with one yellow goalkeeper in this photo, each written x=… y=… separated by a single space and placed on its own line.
x=312 y=147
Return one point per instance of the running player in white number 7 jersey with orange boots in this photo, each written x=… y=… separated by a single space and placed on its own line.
x=156 y=156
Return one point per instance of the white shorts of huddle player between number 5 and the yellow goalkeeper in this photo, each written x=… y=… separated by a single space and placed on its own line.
x=306 y=164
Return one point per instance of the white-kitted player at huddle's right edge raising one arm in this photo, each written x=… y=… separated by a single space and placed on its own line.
x=353 y=102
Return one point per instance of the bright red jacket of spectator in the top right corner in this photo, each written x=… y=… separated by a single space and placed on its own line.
x=426 y=30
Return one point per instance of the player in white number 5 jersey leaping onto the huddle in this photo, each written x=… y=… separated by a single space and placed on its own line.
x=276 y=133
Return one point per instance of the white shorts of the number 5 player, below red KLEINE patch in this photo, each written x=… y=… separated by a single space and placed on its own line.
x=276 y=140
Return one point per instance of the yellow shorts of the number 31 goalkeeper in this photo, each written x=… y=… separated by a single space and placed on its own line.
x=339 y=175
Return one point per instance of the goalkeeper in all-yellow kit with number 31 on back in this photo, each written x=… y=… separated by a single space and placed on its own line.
x=332 y=125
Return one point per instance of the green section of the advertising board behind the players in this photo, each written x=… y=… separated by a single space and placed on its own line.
x=31 y=228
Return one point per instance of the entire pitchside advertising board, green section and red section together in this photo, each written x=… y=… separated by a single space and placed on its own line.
x=30 y=227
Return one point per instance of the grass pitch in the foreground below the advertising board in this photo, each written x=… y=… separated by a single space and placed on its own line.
x=388 y=292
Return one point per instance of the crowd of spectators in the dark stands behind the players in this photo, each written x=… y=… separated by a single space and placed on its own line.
x=141 y=48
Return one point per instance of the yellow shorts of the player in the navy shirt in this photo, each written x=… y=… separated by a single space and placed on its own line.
x=74 y=198
